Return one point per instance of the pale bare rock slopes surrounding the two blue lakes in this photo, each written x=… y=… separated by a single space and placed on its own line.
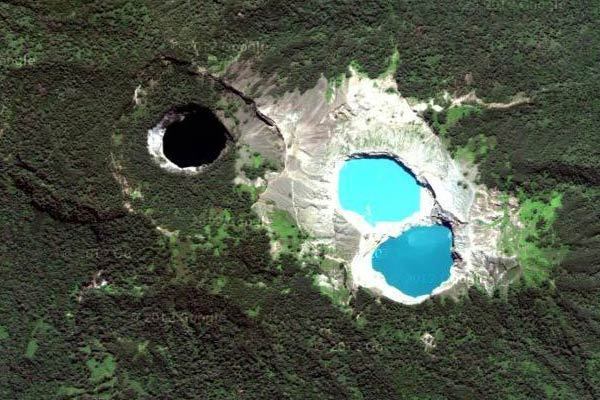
x=370 y=117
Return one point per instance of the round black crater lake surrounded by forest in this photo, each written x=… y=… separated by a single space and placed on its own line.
x=195 y=137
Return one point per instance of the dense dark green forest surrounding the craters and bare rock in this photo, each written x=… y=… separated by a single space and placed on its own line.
x=207 y=313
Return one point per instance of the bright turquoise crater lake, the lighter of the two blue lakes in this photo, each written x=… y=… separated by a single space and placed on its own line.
x=379 y=189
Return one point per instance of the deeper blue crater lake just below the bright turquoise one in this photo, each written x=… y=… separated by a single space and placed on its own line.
x=417 y=261
